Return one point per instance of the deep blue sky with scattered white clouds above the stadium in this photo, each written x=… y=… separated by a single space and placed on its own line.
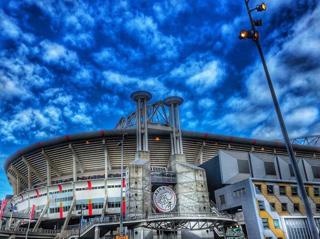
x=70 y=66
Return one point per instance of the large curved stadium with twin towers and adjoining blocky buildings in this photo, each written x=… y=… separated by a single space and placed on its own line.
x=174 y=183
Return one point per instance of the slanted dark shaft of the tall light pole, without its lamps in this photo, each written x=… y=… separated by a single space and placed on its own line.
x=303 y=194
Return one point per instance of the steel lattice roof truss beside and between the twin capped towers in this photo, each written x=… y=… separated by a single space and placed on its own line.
x=157 y=114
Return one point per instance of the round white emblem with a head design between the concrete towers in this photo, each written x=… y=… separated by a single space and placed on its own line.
x=164 y=198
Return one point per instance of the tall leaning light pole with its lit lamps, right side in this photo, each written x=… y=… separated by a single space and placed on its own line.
x=254 y=35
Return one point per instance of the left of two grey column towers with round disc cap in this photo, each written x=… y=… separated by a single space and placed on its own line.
x=141 y=98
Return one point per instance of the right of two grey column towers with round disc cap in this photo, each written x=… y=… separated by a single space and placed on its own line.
x=173 y=103
